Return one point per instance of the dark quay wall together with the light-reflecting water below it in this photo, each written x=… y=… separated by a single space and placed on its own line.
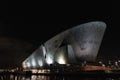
x=60 y=76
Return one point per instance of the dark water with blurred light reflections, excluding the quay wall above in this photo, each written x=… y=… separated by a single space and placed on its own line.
x=54 y=77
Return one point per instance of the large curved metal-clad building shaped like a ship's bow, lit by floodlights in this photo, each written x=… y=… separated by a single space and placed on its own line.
x=80 y=43
